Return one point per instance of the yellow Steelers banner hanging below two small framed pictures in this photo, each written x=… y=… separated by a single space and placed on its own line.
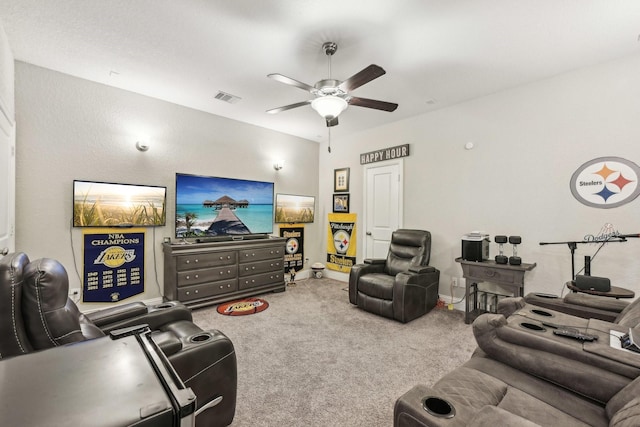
x=341 y=242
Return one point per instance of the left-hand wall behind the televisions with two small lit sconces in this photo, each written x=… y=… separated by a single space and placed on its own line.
x=69 y=128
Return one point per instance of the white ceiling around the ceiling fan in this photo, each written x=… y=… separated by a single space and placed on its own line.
x=185 y=51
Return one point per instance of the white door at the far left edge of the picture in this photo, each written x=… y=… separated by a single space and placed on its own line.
x=7 y=182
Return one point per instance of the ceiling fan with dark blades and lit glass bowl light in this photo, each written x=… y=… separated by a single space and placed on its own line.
x=332 y=96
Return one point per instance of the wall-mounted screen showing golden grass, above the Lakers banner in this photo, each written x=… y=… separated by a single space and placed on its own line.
x=106 y=204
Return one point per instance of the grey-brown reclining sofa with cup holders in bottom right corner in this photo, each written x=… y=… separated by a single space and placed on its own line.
x=524 y=374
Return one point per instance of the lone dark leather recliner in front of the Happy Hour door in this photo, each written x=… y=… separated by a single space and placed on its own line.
x=403 y=286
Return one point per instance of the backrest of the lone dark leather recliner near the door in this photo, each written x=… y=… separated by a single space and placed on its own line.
x=408 y=248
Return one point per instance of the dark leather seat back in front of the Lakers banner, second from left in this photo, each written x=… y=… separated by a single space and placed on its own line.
x=51 y=318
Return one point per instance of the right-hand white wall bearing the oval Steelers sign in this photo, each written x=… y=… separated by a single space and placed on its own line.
x=529 y=141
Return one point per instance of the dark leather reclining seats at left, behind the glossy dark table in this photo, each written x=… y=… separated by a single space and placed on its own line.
x=36 y=313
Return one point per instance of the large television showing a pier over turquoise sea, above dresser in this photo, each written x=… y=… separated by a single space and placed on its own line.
x=208 y=206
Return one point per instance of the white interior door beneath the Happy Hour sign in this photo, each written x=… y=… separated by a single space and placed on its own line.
x=383 y=206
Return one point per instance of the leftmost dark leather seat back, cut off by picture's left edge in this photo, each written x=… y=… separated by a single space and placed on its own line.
x=13 y=336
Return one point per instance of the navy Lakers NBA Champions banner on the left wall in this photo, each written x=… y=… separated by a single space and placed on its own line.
x=113 y=265
